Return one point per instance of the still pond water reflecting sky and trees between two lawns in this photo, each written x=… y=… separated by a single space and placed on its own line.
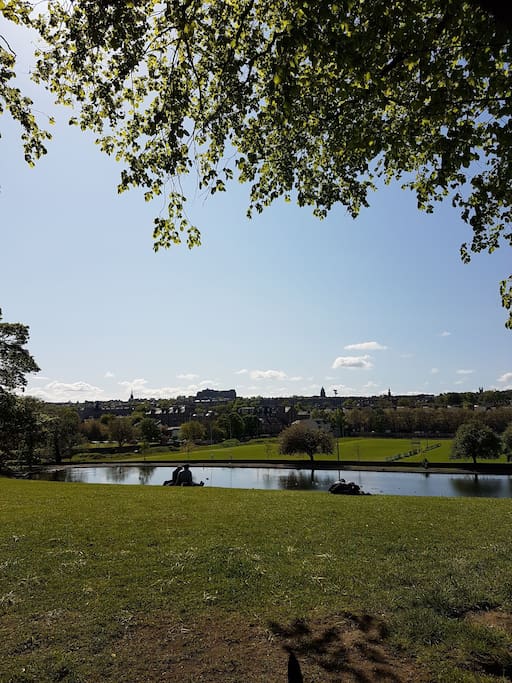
x=391 y=483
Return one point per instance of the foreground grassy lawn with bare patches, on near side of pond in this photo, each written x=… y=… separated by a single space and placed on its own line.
x=133 y=583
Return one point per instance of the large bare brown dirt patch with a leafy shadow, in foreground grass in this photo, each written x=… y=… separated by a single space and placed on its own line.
x=227 y=649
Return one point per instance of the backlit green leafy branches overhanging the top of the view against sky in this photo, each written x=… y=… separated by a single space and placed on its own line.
x=313 y=102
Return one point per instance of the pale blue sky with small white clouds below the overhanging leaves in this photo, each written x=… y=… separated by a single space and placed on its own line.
x=280 y=305
